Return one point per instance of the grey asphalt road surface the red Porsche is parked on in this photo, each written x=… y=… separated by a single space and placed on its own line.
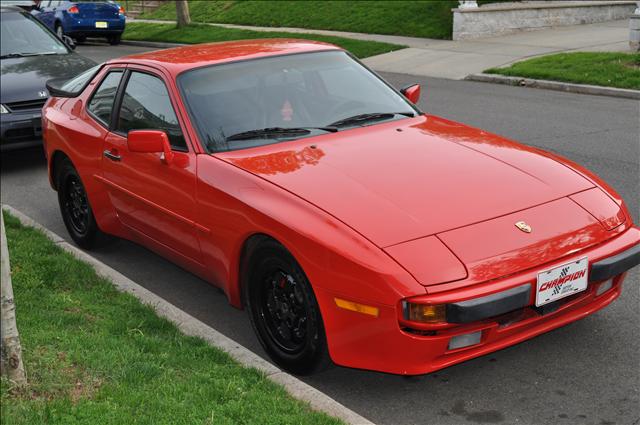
x=585 y=373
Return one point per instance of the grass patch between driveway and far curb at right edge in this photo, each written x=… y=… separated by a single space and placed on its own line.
x=620 y=70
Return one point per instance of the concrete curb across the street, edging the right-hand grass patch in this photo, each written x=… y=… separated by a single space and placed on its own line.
x=555 y=85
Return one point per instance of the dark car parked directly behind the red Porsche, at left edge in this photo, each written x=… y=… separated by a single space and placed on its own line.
x=31 y=55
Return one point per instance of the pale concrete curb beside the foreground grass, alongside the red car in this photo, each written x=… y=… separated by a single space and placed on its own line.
x=191 y=326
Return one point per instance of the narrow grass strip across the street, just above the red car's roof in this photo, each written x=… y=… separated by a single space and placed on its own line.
x=207 y=33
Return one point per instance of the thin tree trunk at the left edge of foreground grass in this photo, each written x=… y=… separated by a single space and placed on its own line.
x=10 y=349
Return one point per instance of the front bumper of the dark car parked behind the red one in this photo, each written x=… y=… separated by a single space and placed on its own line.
x=20 y=130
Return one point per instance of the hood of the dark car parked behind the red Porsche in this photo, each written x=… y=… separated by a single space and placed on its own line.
x=24 y=78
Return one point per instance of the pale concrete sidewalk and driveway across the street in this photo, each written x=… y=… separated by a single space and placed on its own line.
x=457 y=59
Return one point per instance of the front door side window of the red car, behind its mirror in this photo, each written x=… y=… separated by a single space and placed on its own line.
x=146 y=106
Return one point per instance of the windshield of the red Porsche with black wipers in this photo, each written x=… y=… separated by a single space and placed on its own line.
x=257 y=102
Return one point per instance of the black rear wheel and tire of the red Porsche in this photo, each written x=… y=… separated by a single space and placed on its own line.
x=75 y=209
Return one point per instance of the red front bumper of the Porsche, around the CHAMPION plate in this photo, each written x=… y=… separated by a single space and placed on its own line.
x=503 y=311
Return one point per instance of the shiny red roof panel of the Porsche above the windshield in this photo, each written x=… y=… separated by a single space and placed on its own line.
x=179 y=59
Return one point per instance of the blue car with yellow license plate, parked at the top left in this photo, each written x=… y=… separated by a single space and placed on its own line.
x=83 y=19
